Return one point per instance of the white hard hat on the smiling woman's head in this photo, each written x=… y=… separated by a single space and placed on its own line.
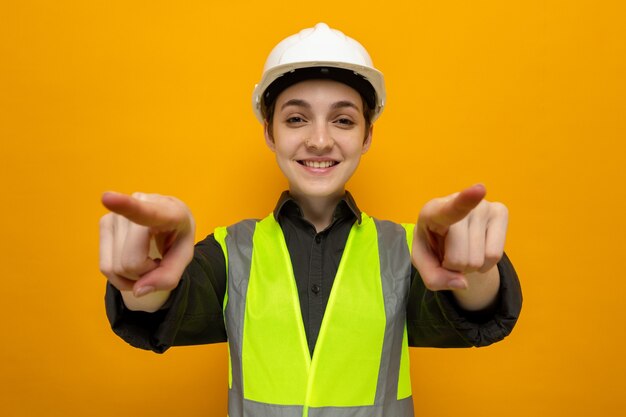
x=319 y=52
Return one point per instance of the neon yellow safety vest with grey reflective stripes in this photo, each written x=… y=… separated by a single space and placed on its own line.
x=360 y=365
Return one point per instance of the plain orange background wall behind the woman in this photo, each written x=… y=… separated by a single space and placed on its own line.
x=525 y=96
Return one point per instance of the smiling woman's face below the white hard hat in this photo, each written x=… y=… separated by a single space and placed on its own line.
x=318 y=135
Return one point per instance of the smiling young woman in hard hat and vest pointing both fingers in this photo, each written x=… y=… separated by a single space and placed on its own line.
x=318 y=301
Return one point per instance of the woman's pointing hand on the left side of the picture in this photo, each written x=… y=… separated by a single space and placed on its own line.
x=146 y=242
